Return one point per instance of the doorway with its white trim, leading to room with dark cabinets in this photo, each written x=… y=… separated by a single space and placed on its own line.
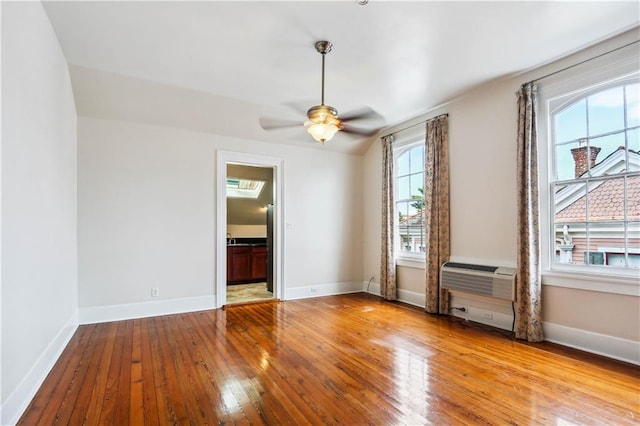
x=249 y=231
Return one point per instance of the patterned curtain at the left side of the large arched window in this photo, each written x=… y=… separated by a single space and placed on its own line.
x=528 y=321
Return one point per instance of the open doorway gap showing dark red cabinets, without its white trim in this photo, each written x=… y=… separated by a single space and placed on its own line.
x=249 y=236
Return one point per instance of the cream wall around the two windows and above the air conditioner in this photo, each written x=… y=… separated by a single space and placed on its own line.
x=482 y=131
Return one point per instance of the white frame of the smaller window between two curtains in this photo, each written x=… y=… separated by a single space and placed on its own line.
x=401 y=146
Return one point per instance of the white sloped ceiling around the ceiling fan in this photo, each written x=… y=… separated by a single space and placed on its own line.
x=219 y=66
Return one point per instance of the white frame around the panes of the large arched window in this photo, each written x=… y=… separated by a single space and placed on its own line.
x=555 y=93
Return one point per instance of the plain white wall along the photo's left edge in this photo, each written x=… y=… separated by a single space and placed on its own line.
x=39 y=250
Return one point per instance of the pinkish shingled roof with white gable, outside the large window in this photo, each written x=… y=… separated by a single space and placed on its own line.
x=605 y=197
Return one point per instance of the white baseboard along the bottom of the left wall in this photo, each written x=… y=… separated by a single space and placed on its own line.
x=19 y=399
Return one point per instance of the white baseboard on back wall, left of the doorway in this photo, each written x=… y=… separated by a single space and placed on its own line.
x=97 y=314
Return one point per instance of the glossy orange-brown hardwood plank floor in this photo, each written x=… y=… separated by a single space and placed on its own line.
x=349 y=359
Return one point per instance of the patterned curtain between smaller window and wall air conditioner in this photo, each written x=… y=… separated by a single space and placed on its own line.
x=436 y=211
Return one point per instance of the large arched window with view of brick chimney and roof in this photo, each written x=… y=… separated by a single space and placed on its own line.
x=593 y=174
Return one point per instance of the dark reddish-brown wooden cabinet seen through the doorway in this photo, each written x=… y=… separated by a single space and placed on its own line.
x=246 y=264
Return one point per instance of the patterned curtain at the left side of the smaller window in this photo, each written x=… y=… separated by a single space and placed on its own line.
x=387 y=260
